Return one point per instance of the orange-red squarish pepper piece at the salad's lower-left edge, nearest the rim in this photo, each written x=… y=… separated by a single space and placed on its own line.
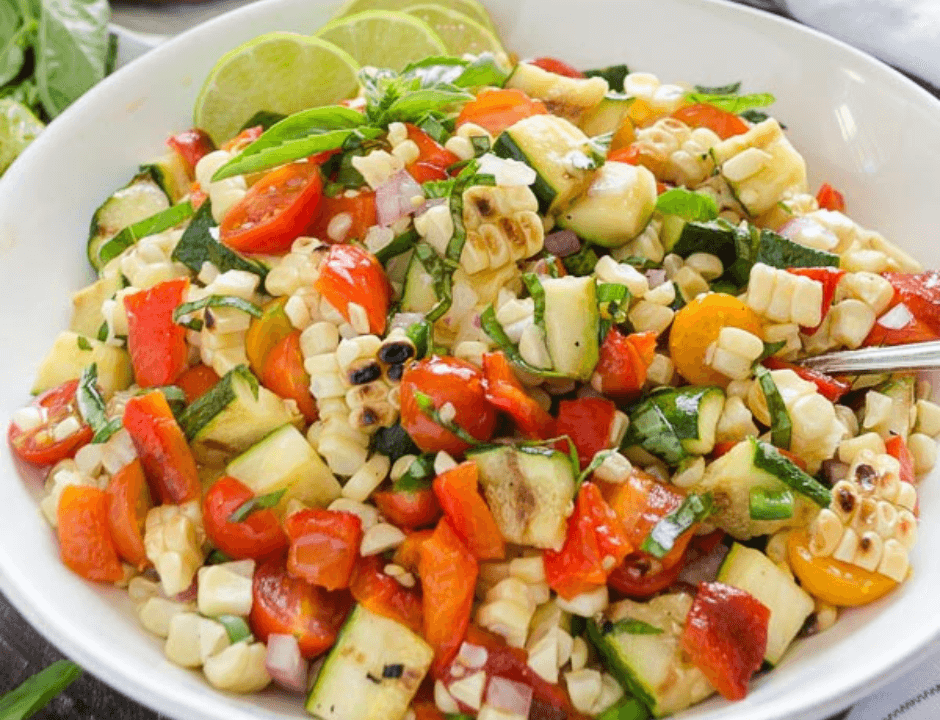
x=84 y=540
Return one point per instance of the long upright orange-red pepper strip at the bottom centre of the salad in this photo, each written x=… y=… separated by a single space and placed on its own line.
x=448 y=574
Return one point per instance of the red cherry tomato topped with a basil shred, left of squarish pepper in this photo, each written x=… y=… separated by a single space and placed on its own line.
x=257 y=536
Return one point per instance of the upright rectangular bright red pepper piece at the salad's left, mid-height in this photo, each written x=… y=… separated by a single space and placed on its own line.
x=157 y=345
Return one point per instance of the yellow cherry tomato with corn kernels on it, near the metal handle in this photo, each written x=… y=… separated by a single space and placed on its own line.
x=697 y=325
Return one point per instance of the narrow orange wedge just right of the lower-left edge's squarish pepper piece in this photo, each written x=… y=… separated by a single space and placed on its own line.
x=128 y=504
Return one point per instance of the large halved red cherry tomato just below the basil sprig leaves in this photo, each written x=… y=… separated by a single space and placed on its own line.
x=276 y=210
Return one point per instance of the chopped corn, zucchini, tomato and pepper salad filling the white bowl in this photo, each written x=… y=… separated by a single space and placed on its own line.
x=477 y=394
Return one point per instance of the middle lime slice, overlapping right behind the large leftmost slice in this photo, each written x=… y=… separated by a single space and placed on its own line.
x=383 y=39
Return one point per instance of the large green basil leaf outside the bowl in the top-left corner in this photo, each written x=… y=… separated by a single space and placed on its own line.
x=71 y=50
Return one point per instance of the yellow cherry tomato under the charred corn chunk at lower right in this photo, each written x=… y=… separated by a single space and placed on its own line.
x=832 y=581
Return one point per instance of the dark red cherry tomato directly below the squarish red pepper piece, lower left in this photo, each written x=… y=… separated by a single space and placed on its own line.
x=282 y=604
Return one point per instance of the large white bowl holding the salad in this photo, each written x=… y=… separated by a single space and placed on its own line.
x=860 y=125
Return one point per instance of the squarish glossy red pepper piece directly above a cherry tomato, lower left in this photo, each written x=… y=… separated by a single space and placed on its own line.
x=324 y=546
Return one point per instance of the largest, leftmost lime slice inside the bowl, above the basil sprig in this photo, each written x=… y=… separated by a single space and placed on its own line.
x=279 y=72
